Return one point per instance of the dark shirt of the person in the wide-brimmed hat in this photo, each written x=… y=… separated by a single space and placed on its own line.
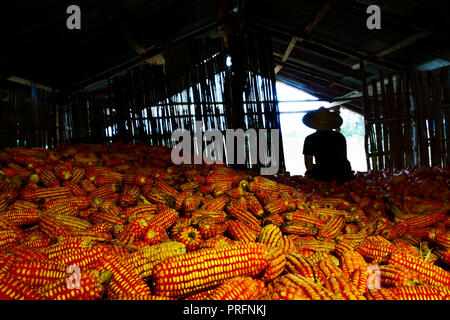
x=329 y=149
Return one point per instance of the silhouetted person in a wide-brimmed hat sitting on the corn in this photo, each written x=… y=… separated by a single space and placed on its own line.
x=328 y=147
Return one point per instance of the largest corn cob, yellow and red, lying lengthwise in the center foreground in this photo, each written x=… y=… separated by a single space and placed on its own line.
x=203 y=269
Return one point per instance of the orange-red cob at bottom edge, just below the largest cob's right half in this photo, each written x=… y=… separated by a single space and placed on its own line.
x=239 y=288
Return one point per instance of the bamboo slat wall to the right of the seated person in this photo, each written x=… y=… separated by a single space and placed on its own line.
x=407 y=120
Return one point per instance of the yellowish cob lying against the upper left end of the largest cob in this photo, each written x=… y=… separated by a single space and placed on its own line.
x=143 y=261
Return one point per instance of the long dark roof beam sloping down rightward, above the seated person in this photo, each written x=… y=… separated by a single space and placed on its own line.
x=323 y=44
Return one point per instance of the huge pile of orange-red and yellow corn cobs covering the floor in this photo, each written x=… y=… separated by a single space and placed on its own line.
x=119 y=222
